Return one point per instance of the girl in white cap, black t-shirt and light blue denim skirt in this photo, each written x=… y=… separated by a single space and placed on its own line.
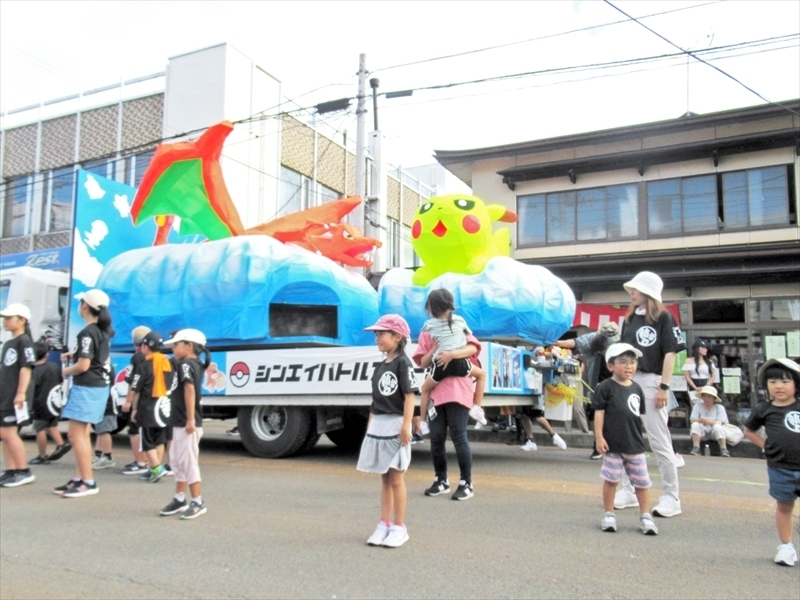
x=90 y=388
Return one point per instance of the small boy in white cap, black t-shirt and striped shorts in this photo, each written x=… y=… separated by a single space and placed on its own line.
x=618 y=403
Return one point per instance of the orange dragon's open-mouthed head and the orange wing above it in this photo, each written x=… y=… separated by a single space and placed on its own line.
x=319 y=230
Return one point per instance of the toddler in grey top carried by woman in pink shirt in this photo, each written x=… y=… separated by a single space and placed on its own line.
x=449 y=332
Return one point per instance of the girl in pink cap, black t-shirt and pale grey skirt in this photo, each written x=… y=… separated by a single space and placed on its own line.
x=386 y=448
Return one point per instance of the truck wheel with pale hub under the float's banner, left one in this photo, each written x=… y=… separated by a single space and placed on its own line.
x=273 y=431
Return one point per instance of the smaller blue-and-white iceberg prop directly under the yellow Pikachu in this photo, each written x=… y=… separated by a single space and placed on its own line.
x=508 y=299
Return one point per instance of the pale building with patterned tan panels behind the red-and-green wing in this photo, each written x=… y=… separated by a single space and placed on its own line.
x=274 y=163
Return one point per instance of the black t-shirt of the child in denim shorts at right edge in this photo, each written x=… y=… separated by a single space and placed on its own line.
x=782 y=446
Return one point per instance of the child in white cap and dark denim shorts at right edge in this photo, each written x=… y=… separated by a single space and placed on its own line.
x=780 y=416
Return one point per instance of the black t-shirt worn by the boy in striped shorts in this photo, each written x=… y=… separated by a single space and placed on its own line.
x=622 y=427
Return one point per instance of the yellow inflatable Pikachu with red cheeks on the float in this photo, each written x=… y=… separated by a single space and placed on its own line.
x=453 y=234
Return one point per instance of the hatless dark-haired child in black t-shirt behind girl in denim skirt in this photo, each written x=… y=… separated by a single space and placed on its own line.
x=47 y=403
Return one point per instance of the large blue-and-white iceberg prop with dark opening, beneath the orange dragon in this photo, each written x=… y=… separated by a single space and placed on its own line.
x=225 y=289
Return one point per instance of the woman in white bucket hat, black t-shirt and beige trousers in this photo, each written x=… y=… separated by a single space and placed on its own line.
x=651 y=329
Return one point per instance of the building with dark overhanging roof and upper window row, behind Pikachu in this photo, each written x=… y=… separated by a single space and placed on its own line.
x=709 y=202
